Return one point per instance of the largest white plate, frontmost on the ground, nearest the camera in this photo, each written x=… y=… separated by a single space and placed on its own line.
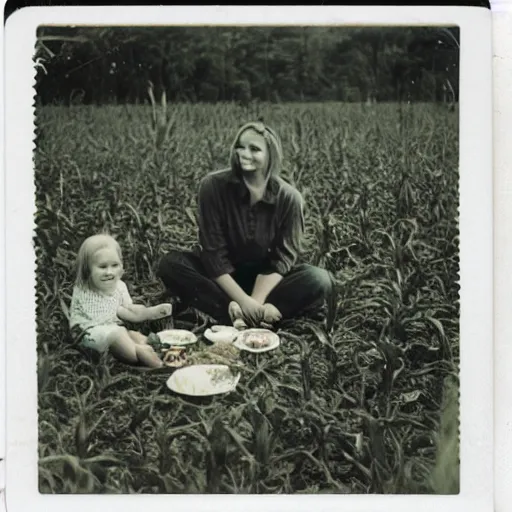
x=203 y=380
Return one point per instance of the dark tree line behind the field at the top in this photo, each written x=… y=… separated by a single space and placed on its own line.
x=103 y=65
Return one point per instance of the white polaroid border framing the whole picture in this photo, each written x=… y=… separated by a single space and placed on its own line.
x=476 y=264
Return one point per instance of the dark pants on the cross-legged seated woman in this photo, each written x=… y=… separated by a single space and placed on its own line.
x=302 y=290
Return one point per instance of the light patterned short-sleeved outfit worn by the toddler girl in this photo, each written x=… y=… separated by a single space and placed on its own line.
x=96 y=313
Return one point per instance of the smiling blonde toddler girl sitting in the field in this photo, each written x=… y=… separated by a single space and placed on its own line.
x=101 y=302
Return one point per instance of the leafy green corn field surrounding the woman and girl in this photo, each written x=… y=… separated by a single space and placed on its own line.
x=370 y=407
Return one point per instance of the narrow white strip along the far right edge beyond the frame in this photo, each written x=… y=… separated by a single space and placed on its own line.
x=502 y=48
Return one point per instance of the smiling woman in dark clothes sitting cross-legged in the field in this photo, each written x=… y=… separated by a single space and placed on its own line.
x=251 y=226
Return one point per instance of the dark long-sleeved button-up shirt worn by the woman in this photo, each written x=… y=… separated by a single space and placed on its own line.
x=232 y=232
